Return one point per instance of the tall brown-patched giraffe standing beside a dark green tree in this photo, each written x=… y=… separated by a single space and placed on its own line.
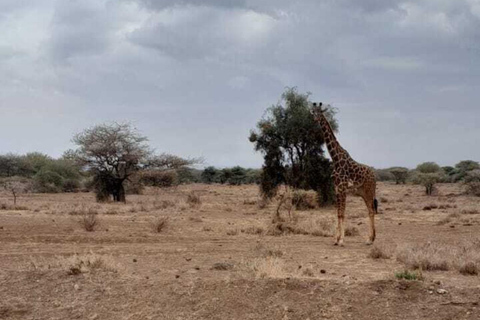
x=347 y=174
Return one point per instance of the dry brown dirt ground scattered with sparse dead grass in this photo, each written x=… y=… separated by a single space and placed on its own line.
x=218 y=259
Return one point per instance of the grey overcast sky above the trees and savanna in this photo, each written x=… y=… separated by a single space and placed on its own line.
x=195 y=76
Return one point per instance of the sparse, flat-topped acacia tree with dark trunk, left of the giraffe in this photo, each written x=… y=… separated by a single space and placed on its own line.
x=115 y=152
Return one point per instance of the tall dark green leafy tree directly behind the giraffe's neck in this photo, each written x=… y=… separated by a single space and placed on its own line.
x=291 y=142
